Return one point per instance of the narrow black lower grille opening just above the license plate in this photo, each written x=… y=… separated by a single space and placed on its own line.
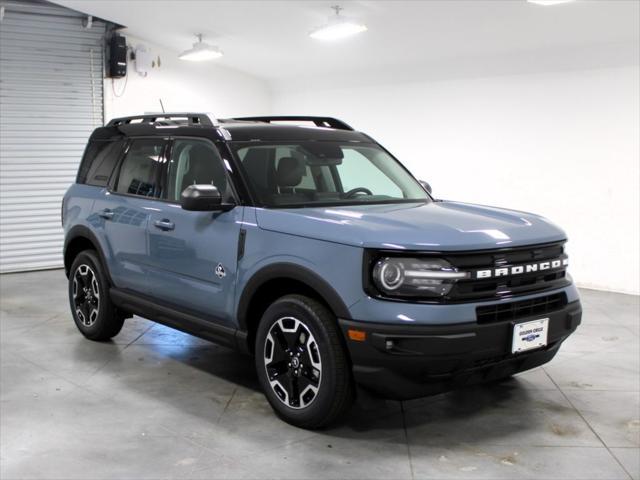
x=521 y=309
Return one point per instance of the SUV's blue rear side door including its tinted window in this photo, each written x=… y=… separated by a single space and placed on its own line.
x=122 y=212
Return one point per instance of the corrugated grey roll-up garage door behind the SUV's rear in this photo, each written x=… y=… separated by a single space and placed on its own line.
x=51 y=70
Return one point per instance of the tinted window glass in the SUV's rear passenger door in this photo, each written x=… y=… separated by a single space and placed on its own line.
x=139 y=170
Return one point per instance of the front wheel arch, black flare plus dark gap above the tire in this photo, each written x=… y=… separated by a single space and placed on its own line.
x=276 y=280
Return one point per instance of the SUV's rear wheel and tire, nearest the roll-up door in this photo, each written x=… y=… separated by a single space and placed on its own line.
x=93 y=313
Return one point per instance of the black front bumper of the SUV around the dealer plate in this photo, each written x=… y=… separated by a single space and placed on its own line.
x=409 y=361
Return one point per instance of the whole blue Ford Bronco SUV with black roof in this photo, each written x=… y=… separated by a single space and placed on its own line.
x=308 y=245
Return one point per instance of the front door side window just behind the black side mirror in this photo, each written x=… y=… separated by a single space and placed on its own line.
x=195 y=162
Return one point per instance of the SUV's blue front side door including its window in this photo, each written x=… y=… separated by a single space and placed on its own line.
x=194 y=254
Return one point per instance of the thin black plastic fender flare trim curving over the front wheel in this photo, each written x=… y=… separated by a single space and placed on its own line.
x=294 y=272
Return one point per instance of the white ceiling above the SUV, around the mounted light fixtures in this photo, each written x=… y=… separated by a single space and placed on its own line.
x=269 y=39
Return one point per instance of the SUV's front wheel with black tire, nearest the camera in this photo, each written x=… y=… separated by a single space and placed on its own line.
x=302 y=364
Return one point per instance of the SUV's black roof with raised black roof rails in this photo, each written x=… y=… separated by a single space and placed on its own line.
x=233 y=129
